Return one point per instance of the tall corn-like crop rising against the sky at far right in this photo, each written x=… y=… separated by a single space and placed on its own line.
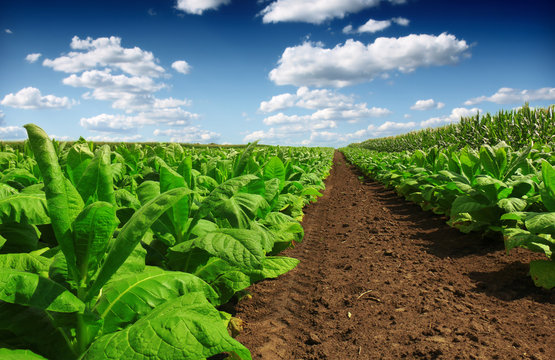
x=518 y=128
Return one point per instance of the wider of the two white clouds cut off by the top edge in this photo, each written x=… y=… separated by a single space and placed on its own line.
x=315 y=11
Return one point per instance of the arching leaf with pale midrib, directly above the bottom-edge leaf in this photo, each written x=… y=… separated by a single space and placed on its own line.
x=128 y=299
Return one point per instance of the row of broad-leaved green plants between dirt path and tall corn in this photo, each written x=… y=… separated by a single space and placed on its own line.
x=493 y=190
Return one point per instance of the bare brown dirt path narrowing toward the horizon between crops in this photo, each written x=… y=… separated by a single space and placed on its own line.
x=380 y=279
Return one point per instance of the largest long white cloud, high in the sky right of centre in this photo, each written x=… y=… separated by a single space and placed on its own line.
x=310 y=64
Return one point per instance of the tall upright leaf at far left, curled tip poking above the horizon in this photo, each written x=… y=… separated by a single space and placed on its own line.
x=63 y=200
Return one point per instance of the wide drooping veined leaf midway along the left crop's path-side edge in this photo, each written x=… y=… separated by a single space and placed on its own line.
x=239 y=247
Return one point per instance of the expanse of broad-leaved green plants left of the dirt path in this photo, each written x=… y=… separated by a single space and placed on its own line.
x=127 y=252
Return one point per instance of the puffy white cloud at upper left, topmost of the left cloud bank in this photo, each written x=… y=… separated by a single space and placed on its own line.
x=106 y=52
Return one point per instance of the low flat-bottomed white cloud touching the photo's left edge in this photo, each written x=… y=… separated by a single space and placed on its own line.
x=31 y=98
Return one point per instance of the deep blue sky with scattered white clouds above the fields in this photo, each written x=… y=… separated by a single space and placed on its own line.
x=287 y=72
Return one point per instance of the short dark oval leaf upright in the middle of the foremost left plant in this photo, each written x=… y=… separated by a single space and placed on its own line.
x=92 y=231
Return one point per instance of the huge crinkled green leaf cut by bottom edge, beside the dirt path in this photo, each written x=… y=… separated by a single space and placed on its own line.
x=188 y=327
